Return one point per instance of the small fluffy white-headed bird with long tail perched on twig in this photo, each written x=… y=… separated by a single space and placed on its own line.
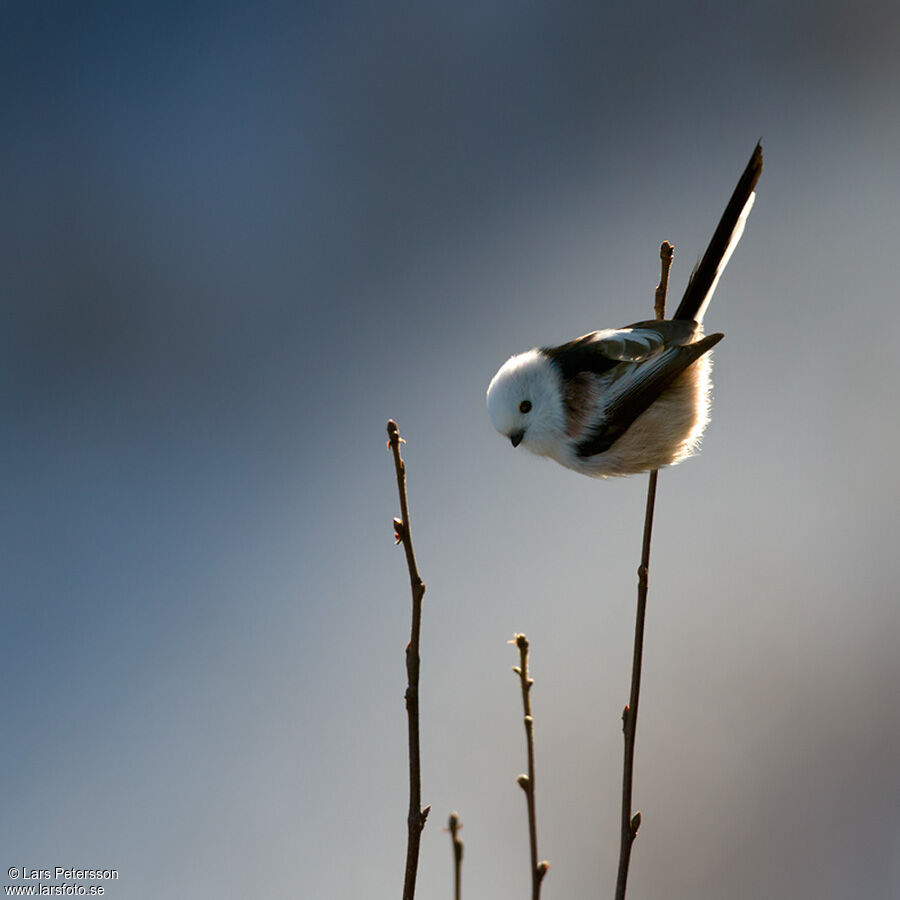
x=626 y=400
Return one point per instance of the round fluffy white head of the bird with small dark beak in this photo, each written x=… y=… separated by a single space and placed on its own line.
x=525 y=403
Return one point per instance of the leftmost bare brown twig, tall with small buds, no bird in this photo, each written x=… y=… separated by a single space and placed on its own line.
x=416 y=817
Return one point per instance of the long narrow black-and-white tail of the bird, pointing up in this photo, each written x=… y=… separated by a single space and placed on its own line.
x=706 y=276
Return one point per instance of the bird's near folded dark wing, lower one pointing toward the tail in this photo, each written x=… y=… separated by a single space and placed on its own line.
x=639 y=391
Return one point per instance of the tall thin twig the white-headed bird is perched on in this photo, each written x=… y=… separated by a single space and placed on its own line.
x=631 y=823
